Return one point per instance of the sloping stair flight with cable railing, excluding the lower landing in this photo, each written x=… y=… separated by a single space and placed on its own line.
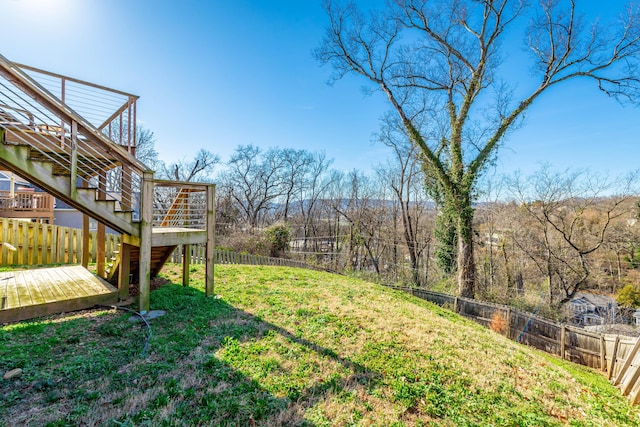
x=47 y=142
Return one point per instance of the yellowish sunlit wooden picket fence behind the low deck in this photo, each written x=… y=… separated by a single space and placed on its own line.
x=38 y=244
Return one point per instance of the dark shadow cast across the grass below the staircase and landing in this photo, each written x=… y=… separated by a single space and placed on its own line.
x=88 y=369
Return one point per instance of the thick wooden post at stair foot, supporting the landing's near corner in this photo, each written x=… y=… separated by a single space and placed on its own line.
x=146 y=225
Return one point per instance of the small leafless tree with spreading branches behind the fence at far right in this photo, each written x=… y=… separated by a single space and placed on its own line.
x=571 y=214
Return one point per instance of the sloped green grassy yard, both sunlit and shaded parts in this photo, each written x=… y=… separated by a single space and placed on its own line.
x=283 y=346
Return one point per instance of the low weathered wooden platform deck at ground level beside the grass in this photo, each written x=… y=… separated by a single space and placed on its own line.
x=26 y=294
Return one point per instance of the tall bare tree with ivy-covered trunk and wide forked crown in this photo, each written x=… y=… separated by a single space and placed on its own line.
x=438 y=64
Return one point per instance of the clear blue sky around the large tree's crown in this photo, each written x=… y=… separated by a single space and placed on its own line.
x=217 y=74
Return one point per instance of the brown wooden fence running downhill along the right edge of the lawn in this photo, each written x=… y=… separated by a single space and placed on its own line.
x=619 y=356
